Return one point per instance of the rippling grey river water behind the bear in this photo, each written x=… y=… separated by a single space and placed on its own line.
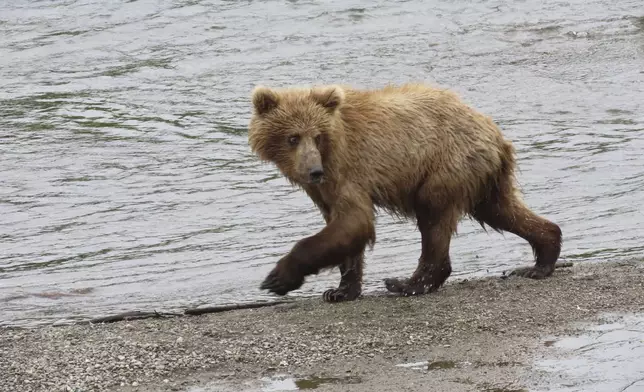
x=126 y=178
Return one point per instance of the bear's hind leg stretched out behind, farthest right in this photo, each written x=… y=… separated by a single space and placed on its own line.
x=506 y=212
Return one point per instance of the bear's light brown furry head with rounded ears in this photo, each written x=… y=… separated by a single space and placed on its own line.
x=297 y=129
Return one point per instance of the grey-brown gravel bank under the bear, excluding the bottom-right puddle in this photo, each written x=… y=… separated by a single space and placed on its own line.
x=476 y=335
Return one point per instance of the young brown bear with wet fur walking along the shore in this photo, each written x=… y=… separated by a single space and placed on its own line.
x=415 y=151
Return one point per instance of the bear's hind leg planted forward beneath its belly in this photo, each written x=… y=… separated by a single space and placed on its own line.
x=434 y=265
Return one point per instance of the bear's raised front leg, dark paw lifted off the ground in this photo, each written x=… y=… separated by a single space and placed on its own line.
x=344 y=237
